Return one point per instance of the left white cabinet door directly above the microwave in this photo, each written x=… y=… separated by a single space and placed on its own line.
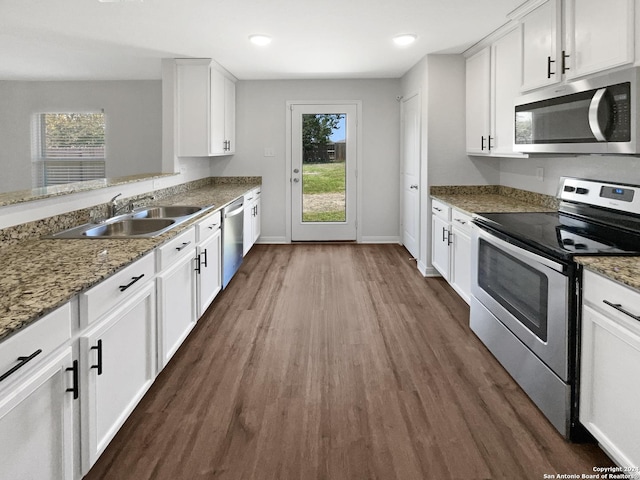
x=541 y=42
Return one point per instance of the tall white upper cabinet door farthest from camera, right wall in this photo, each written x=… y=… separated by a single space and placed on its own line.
x=478 y=78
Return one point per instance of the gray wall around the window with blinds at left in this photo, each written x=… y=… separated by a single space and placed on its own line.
x=134 y=123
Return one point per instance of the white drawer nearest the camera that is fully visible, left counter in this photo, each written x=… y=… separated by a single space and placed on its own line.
x=105 y=296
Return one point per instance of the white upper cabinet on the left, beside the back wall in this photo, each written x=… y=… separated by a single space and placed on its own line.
x=205 y=108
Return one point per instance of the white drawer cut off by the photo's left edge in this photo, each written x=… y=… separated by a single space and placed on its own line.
x=34 y=343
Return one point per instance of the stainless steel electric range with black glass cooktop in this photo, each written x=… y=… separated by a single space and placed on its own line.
x=525 y=286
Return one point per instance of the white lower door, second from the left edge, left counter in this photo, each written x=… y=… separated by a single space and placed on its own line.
x=118 y=367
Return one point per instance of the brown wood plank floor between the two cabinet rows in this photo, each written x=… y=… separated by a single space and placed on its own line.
x=337 y=362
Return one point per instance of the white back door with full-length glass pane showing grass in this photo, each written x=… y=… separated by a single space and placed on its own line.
x=323 y=172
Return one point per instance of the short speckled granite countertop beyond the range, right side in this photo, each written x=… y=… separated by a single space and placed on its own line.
x=493 y=198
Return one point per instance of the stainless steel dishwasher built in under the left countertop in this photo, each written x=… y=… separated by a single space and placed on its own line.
x=232 y=239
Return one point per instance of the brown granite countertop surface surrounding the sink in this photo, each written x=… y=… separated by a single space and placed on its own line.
x=39 y=275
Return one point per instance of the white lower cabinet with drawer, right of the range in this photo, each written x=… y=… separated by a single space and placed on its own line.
x=610 y=368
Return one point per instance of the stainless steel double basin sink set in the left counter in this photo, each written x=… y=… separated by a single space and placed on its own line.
x=143 y=222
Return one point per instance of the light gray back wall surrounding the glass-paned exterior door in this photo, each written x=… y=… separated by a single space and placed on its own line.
x=261 y=123
